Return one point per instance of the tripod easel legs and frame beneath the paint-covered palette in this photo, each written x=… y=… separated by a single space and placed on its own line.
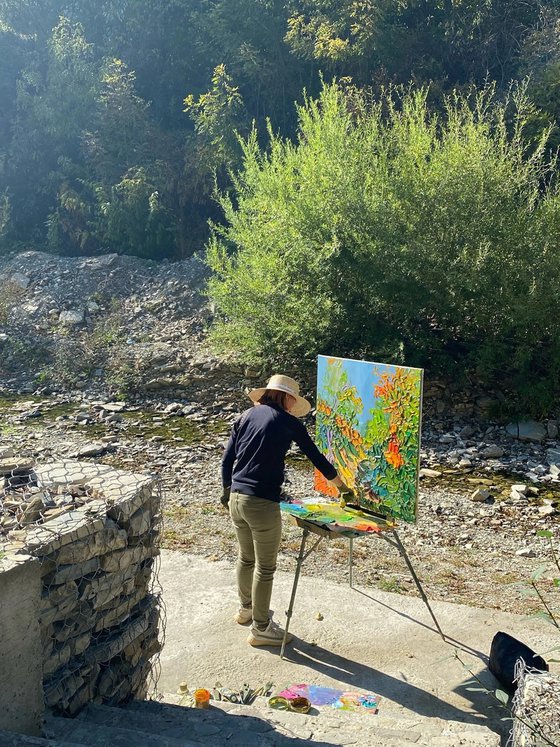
x=388 y=533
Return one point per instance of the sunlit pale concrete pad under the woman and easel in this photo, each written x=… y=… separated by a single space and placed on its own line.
x=367 y=640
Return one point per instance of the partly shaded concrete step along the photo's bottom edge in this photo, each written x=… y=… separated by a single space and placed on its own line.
x=168 y=724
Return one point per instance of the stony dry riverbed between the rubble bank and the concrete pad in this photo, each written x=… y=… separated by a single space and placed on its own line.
x=477 y=553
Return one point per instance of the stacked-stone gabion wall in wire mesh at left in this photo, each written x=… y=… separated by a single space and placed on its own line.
x=96 y=541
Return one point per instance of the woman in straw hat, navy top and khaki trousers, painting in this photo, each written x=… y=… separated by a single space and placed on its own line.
x=252 y=477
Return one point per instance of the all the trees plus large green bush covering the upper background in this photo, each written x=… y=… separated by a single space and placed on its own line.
x=371 y=178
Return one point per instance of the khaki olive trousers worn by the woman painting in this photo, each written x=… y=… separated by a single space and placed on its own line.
x=258 y=526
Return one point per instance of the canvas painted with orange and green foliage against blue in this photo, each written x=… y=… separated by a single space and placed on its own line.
x=368 y=425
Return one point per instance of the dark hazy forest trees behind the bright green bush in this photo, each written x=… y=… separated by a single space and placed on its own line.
x=93 y=92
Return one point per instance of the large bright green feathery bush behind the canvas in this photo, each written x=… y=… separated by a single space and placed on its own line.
x=388 y=232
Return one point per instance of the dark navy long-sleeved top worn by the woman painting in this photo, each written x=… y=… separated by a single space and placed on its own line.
x=253 y=461
